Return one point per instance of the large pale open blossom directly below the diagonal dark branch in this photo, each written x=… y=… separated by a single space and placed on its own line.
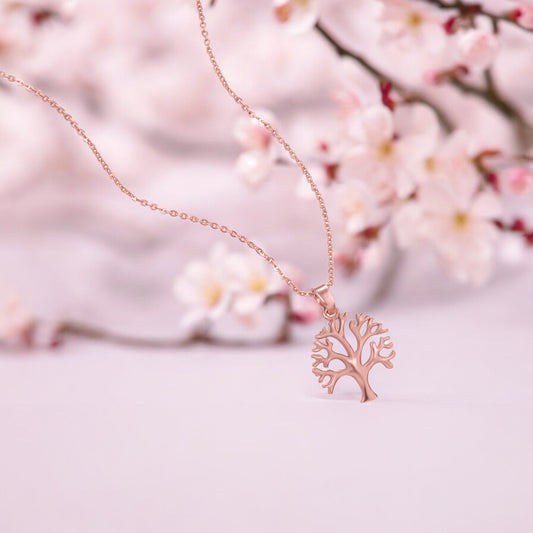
x=385 y=156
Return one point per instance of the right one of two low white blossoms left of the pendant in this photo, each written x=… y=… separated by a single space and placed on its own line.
x=253 y=280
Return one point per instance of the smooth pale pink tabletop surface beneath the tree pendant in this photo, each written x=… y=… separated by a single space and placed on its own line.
x=103 y=439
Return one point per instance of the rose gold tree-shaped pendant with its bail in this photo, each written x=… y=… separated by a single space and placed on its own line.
x=357 y=357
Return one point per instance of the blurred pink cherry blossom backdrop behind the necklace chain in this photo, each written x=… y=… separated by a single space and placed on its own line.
x=415 y=118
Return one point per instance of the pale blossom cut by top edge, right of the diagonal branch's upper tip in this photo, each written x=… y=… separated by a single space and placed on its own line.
x=409 y=25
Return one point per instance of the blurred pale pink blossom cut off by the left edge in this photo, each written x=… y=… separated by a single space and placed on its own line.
x=16 y=320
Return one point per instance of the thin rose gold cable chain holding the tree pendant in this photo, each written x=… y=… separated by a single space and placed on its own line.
x=182 y=214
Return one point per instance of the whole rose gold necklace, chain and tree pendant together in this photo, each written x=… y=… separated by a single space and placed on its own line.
x=356 y=360
